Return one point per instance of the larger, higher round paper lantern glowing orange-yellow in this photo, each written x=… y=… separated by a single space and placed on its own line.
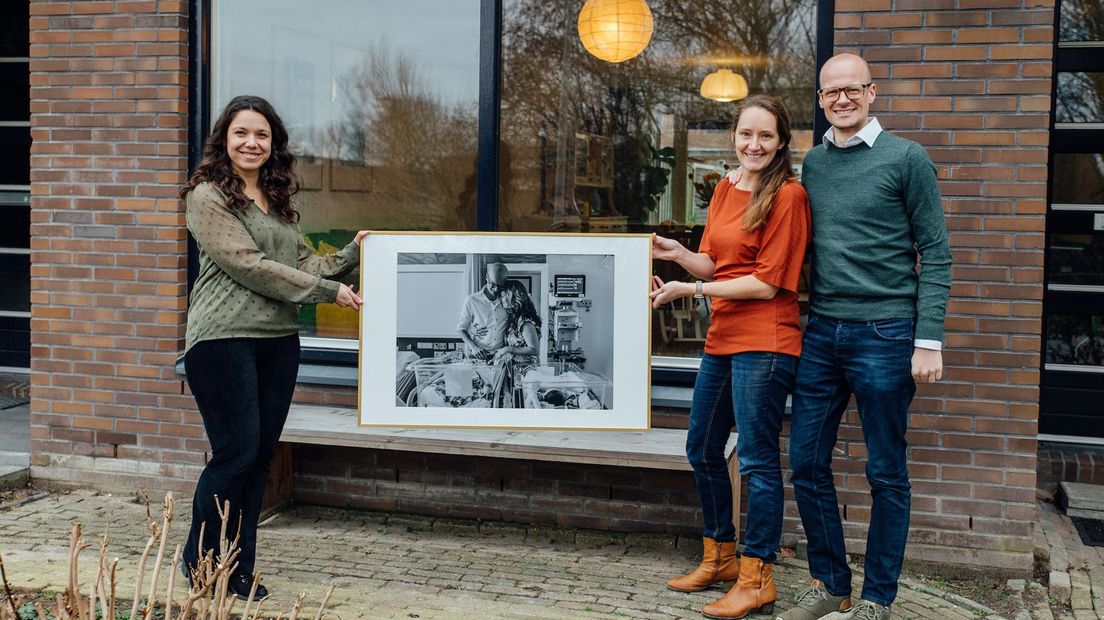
x=615 y=30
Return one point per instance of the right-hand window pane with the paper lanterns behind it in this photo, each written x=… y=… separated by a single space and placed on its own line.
x=593 y=146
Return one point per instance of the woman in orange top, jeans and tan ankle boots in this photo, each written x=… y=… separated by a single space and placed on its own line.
x=751 y=258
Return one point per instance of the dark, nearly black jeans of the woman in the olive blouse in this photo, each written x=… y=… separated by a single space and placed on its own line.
x=243 y=389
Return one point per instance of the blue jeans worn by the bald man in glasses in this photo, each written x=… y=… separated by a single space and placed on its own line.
x=874 y=361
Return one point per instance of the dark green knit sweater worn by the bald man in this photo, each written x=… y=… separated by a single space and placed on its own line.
x=874 y=210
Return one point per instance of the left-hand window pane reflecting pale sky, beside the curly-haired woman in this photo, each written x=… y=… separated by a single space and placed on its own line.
x=381 y=103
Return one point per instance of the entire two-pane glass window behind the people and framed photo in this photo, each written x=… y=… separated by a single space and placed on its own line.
x=383 y=102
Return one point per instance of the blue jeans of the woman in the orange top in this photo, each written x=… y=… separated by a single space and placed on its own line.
x=748 y=390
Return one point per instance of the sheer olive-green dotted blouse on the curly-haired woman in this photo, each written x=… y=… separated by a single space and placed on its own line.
x=256 y=271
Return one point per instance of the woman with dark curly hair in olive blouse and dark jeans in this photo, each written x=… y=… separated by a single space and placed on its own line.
x=242 y=352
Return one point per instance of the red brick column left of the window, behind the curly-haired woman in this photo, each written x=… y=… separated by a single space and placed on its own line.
x=109 y=254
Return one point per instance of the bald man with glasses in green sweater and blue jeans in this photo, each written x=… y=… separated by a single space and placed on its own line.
x=875 y=329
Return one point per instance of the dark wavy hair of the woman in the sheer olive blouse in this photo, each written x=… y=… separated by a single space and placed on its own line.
x=278 y=177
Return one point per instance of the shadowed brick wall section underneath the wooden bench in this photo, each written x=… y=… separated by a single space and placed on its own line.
x=530 y=493
